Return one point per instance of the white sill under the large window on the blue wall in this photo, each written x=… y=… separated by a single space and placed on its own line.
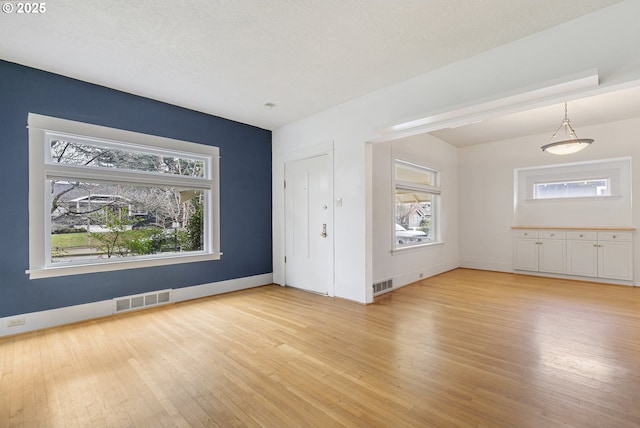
x=120 y=264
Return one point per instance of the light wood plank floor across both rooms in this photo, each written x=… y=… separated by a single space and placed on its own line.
x=466 y=348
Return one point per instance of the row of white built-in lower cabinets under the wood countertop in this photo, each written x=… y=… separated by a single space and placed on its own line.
x=587 y=253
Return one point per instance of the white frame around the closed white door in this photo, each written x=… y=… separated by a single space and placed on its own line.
x=321 y=149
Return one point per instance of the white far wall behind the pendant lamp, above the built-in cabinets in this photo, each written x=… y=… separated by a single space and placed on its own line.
x=487 y=190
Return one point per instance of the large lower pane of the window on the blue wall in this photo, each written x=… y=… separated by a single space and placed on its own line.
x=98 y=221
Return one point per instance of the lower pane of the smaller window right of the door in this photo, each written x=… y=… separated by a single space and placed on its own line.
x=414 y=219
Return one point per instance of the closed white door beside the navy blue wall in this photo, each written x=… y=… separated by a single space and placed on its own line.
x=307 y=224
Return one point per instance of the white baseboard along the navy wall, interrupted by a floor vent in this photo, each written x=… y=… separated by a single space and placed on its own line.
x=23 y=323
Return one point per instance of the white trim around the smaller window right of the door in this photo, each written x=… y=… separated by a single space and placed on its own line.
x=434 y=190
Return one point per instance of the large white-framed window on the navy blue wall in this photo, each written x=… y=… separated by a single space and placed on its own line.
x=105 y=199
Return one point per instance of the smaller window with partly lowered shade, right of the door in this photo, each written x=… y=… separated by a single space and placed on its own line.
x=417 y=193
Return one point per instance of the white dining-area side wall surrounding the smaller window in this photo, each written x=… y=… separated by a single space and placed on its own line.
x=406 y=266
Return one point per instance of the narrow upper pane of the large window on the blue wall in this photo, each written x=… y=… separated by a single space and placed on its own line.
x=112 y=157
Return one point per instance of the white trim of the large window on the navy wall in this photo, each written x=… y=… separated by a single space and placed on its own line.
x=40 y=169
